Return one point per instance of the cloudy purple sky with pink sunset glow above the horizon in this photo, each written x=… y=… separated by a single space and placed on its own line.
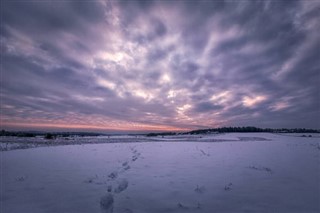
x=159 y=65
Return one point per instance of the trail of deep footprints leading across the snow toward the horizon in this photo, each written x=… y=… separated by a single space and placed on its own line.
x=107 y=200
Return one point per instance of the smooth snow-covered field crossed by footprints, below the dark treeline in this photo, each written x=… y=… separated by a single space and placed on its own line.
x=236 y=172
